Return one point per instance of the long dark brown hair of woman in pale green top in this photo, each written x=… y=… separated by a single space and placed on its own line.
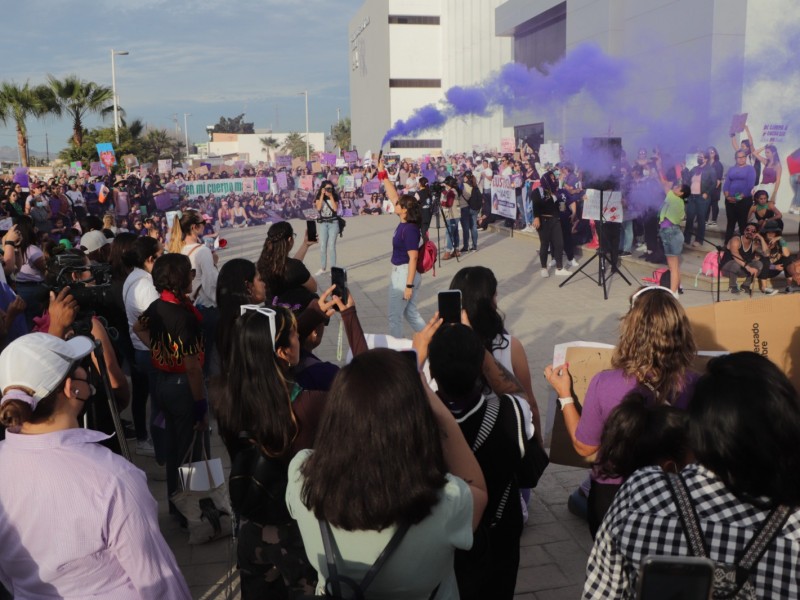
x=375 y=463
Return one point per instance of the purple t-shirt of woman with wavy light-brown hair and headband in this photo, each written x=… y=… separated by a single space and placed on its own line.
x=605 y=393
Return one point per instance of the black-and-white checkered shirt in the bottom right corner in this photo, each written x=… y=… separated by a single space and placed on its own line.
x=643 y=520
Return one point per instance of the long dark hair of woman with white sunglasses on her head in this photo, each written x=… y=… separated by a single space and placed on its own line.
x=255 y=397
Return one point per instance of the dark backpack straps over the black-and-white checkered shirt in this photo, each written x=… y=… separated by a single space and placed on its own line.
x=731 y=581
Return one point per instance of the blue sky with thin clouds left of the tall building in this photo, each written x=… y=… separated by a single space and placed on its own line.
x=208 y=58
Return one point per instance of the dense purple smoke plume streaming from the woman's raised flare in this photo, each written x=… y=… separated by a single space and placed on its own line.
x=515 y=87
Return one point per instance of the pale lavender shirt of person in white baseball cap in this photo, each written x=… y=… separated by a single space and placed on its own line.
x=78 y=521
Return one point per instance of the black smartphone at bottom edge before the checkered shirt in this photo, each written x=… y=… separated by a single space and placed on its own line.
x=667 y=577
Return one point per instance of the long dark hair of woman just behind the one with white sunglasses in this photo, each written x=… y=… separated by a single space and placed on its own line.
x=232 y=293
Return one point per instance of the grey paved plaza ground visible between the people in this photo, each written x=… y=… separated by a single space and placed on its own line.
x=555 y=544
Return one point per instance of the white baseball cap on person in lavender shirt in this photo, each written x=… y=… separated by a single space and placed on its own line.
x=40 y=362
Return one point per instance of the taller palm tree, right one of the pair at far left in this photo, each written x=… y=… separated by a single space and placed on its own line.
x=77 y=98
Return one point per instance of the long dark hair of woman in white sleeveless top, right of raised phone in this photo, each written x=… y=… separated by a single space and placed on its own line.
x=478 y=287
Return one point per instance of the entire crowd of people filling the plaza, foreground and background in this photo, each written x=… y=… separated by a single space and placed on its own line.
x=428 y=503
